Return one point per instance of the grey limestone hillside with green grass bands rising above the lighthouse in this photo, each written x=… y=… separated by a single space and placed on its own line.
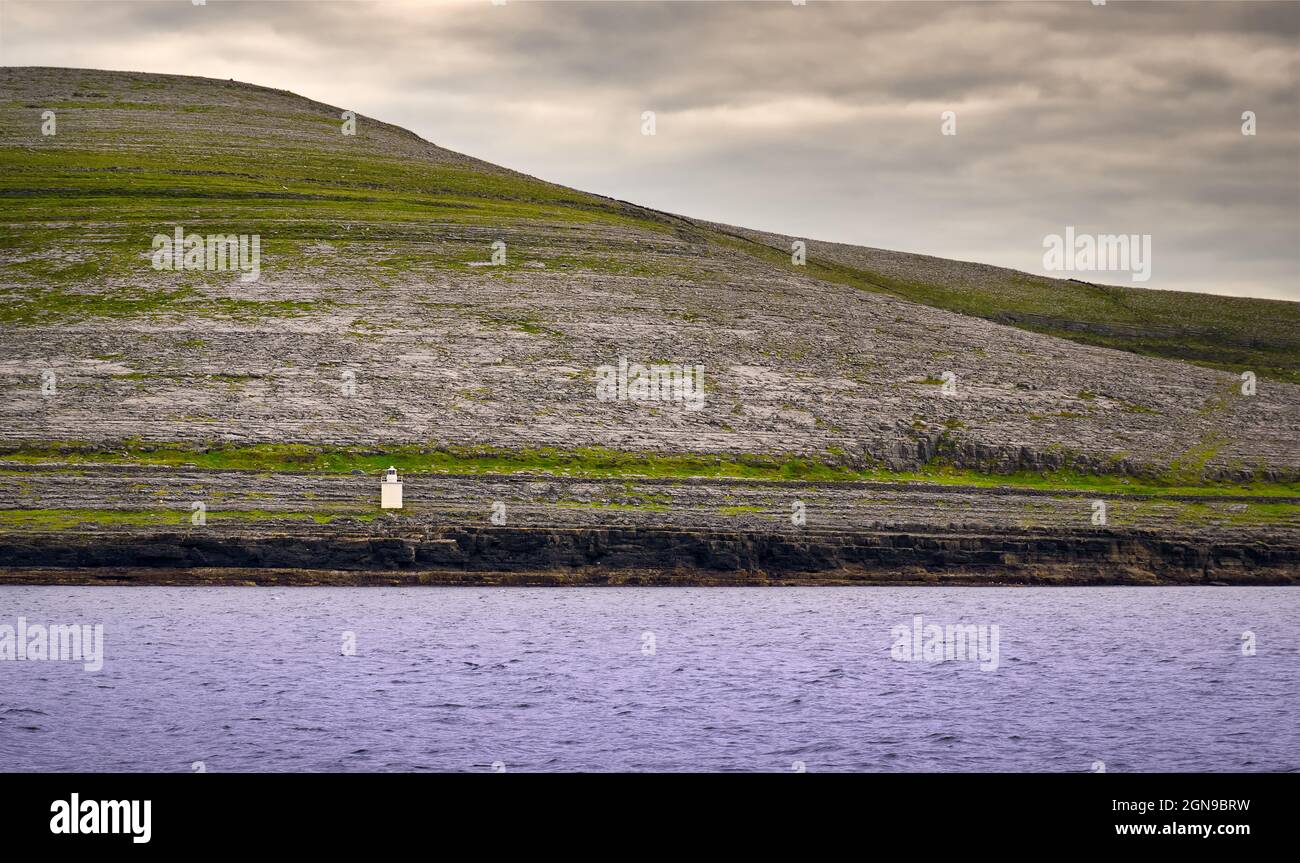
x=374 y=251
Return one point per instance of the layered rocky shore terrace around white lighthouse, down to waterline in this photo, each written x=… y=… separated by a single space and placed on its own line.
x=289 y=528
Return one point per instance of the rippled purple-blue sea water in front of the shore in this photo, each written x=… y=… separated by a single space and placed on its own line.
x=656 y=679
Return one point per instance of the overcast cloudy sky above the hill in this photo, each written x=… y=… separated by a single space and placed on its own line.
x=820 y=122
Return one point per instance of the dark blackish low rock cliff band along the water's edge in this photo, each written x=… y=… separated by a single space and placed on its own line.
x=679 y=557
